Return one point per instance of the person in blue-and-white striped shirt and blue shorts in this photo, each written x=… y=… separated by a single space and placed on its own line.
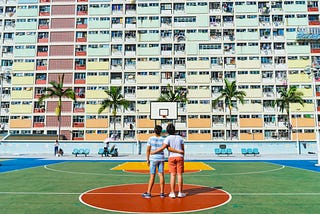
x=155 y=161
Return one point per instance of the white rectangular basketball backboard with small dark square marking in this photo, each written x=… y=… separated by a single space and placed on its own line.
x=163 y=110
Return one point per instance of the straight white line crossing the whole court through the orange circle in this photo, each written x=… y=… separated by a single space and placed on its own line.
x=206 y=194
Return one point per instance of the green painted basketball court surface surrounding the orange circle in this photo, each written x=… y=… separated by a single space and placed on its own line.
x=256 y=187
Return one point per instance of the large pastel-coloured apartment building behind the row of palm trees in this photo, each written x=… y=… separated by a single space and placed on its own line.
x=141 y=46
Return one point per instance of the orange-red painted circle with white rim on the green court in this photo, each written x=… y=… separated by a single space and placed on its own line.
x=127 y=198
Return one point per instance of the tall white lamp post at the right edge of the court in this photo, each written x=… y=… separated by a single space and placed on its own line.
x=314 y=72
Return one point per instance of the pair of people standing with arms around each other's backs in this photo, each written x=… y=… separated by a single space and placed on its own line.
x=155 y=159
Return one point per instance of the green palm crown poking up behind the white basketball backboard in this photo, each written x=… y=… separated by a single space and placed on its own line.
x=178 y=94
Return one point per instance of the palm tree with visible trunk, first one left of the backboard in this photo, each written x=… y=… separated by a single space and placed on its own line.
x=115 y=101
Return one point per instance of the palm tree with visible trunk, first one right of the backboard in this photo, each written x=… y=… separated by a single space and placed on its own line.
x=230 y=93
